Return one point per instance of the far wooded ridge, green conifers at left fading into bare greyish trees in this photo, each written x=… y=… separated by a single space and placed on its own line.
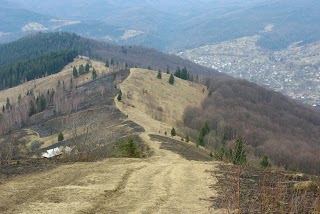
x=42 y=43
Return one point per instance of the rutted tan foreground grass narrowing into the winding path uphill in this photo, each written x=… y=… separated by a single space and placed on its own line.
x=162 y=183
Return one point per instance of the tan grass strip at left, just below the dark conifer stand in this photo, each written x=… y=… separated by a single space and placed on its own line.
x=41 y=85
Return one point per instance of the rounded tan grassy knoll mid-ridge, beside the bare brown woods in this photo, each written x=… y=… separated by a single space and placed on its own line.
x=154 y=102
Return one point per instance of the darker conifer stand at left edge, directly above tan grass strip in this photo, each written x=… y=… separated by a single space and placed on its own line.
x=25 y=70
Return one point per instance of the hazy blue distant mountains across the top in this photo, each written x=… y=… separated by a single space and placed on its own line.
x=167 y=25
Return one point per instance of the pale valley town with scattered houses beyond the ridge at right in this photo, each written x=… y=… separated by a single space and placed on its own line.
x=293 y=71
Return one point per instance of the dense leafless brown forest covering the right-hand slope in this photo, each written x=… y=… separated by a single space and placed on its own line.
x=272 y=124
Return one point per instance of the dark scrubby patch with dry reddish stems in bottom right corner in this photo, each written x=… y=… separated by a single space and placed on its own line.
x=245 y=189
